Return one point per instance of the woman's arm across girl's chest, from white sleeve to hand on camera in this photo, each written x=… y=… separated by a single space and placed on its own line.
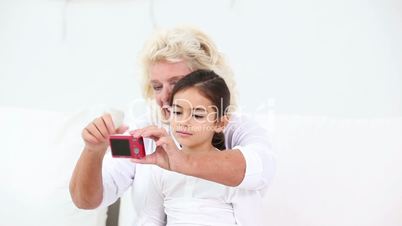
x=249 y=164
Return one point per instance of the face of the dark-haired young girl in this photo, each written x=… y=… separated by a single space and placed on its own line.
x=193 y=118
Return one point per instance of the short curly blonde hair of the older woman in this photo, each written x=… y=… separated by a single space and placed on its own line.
x=186 y=44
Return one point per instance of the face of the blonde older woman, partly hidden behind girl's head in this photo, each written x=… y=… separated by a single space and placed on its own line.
x=163 y=77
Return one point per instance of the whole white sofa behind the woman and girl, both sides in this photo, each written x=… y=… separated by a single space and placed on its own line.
x=330 y=171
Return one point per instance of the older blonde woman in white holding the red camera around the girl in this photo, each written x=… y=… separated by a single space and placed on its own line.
x=247 y=163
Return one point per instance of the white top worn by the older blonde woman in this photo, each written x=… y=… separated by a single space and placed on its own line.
x=241 y=133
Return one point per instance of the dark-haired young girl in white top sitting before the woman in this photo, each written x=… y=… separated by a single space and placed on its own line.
x=199 y=113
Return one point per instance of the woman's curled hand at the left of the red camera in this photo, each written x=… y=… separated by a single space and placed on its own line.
x=96 y=134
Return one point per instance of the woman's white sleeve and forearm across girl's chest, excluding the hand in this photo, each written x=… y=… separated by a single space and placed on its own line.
x=248 y=164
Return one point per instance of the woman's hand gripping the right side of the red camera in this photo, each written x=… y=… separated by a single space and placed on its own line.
x=166 y=155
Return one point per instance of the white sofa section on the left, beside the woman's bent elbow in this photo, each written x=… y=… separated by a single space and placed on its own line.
x=38 y=152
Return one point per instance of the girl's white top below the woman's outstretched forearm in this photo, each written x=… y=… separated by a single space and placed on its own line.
x=175 y=199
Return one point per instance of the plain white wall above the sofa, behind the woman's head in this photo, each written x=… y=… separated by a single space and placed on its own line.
x=335 y=58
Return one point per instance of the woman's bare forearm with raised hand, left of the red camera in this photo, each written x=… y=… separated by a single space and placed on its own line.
x=87 y=186
